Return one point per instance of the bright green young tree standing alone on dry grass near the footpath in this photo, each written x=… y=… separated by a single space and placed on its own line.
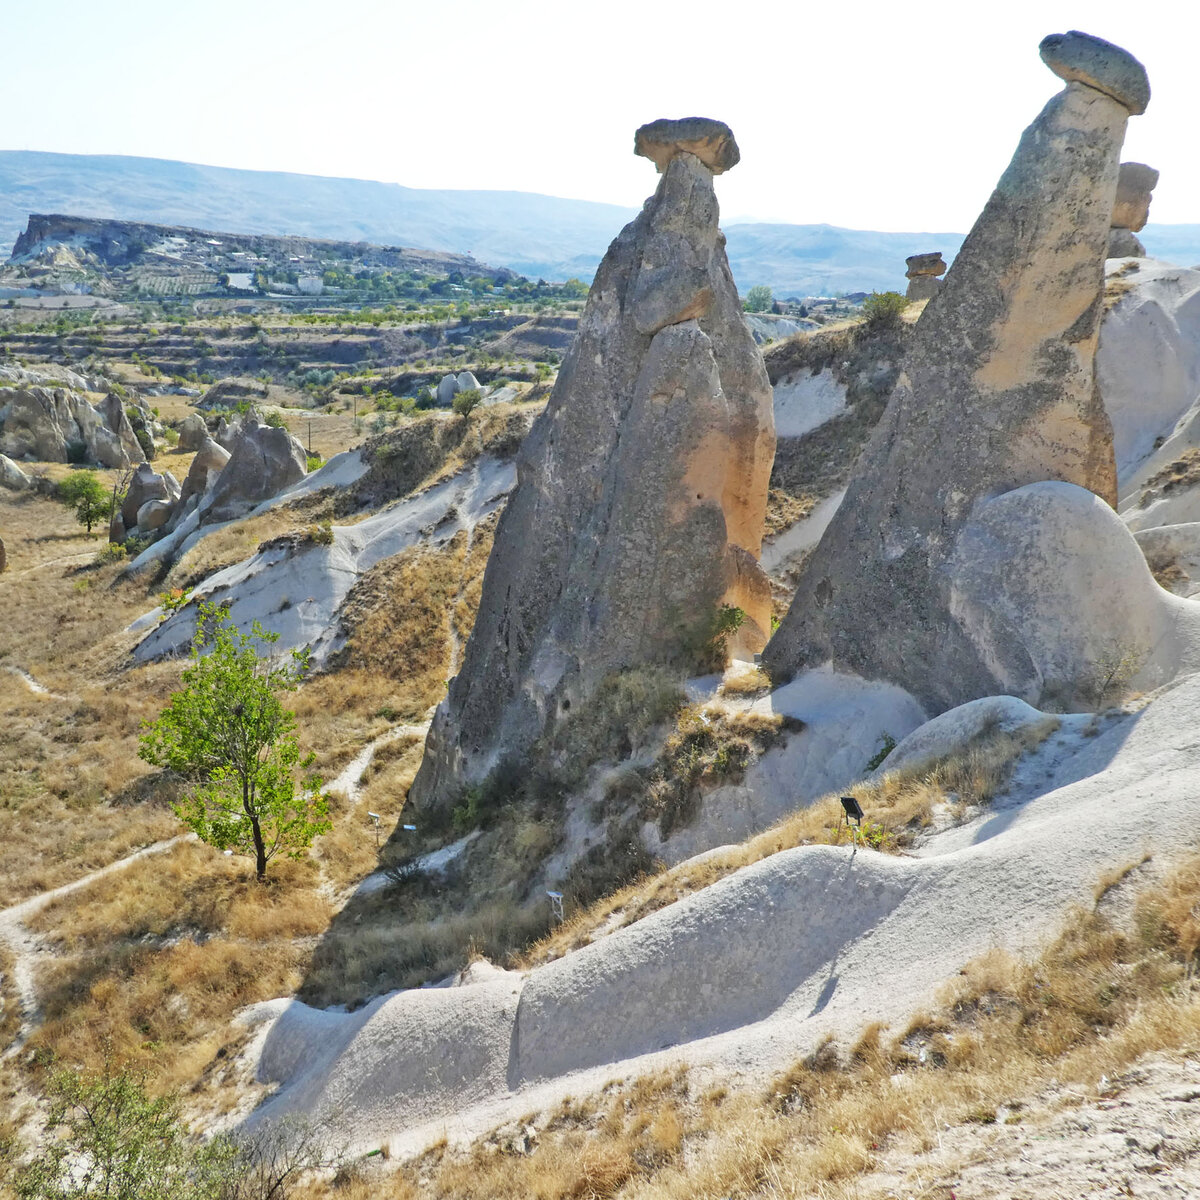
x=230 y=735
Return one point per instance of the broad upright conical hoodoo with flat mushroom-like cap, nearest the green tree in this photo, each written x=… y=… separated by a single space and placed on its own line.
x=641 y=491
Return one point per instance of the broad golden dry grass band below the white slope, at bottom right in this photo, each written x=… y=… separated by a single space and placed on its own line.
x=1094 y=1003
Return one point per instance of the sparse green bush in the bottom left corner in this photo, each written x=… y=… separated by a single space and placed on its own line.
x=115 y=1141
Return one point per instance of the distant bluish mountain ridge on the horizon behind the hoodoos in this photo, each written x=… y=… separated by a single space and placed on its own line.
x=536 y=236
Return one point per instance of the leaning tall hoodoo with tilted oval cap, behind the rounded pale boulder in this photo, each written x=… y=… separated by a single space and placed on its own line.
x=998 y=393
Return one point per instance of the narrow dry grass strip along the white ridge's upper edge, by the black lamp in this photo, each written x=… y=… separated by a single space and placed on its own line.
x=898 y=805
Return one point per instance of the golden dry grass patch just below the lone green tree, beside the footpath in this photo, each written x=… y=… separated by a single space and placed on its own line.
x=154 y=961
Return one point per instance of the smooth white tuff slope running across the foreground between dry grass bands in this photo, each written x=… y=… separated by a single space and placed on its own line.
x=749 y=973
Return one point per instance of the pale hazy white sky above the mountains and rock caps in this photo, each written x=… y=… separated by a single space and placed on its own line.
x=880 y=116
